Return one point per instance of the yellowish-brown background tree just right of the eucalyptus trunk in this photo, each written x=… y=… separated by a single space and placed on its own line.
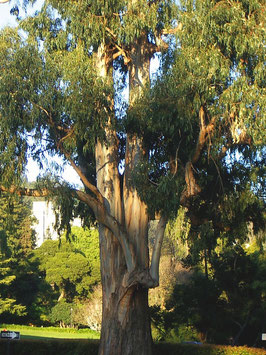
x=174 y=250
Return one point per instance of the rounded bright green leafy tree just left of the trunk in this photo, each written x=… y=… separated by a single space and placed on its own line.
x=72 y=268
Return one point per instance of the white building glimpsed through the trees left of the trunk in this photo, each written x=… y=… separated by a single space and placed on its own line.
x=44 y=213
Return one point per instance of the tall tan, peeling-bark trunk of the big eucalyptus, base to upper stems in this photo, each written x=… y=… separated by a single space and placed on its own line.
x=124 y=263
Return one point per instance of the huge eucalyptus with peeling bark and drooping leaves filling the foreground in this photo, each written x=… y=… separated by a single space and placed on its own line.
x=60 y=87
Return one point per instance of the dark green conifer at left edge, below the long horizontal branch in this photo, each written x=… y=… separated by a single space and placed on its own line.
x=24 y=288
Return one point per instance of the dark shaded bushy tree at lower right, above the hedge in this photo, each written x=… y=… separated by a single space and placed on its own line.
x=230 y=295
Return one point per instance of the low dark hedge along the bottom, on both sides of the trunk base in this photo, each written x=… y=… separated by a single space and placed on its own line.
x=90 y=347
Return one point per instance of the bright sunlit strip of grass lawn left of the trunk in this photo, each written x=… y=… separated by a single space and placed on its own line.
x=27 y=332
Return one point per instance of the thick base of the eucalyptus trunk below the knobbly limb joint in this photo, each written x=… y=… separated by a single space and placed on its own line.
x=126 y=325
